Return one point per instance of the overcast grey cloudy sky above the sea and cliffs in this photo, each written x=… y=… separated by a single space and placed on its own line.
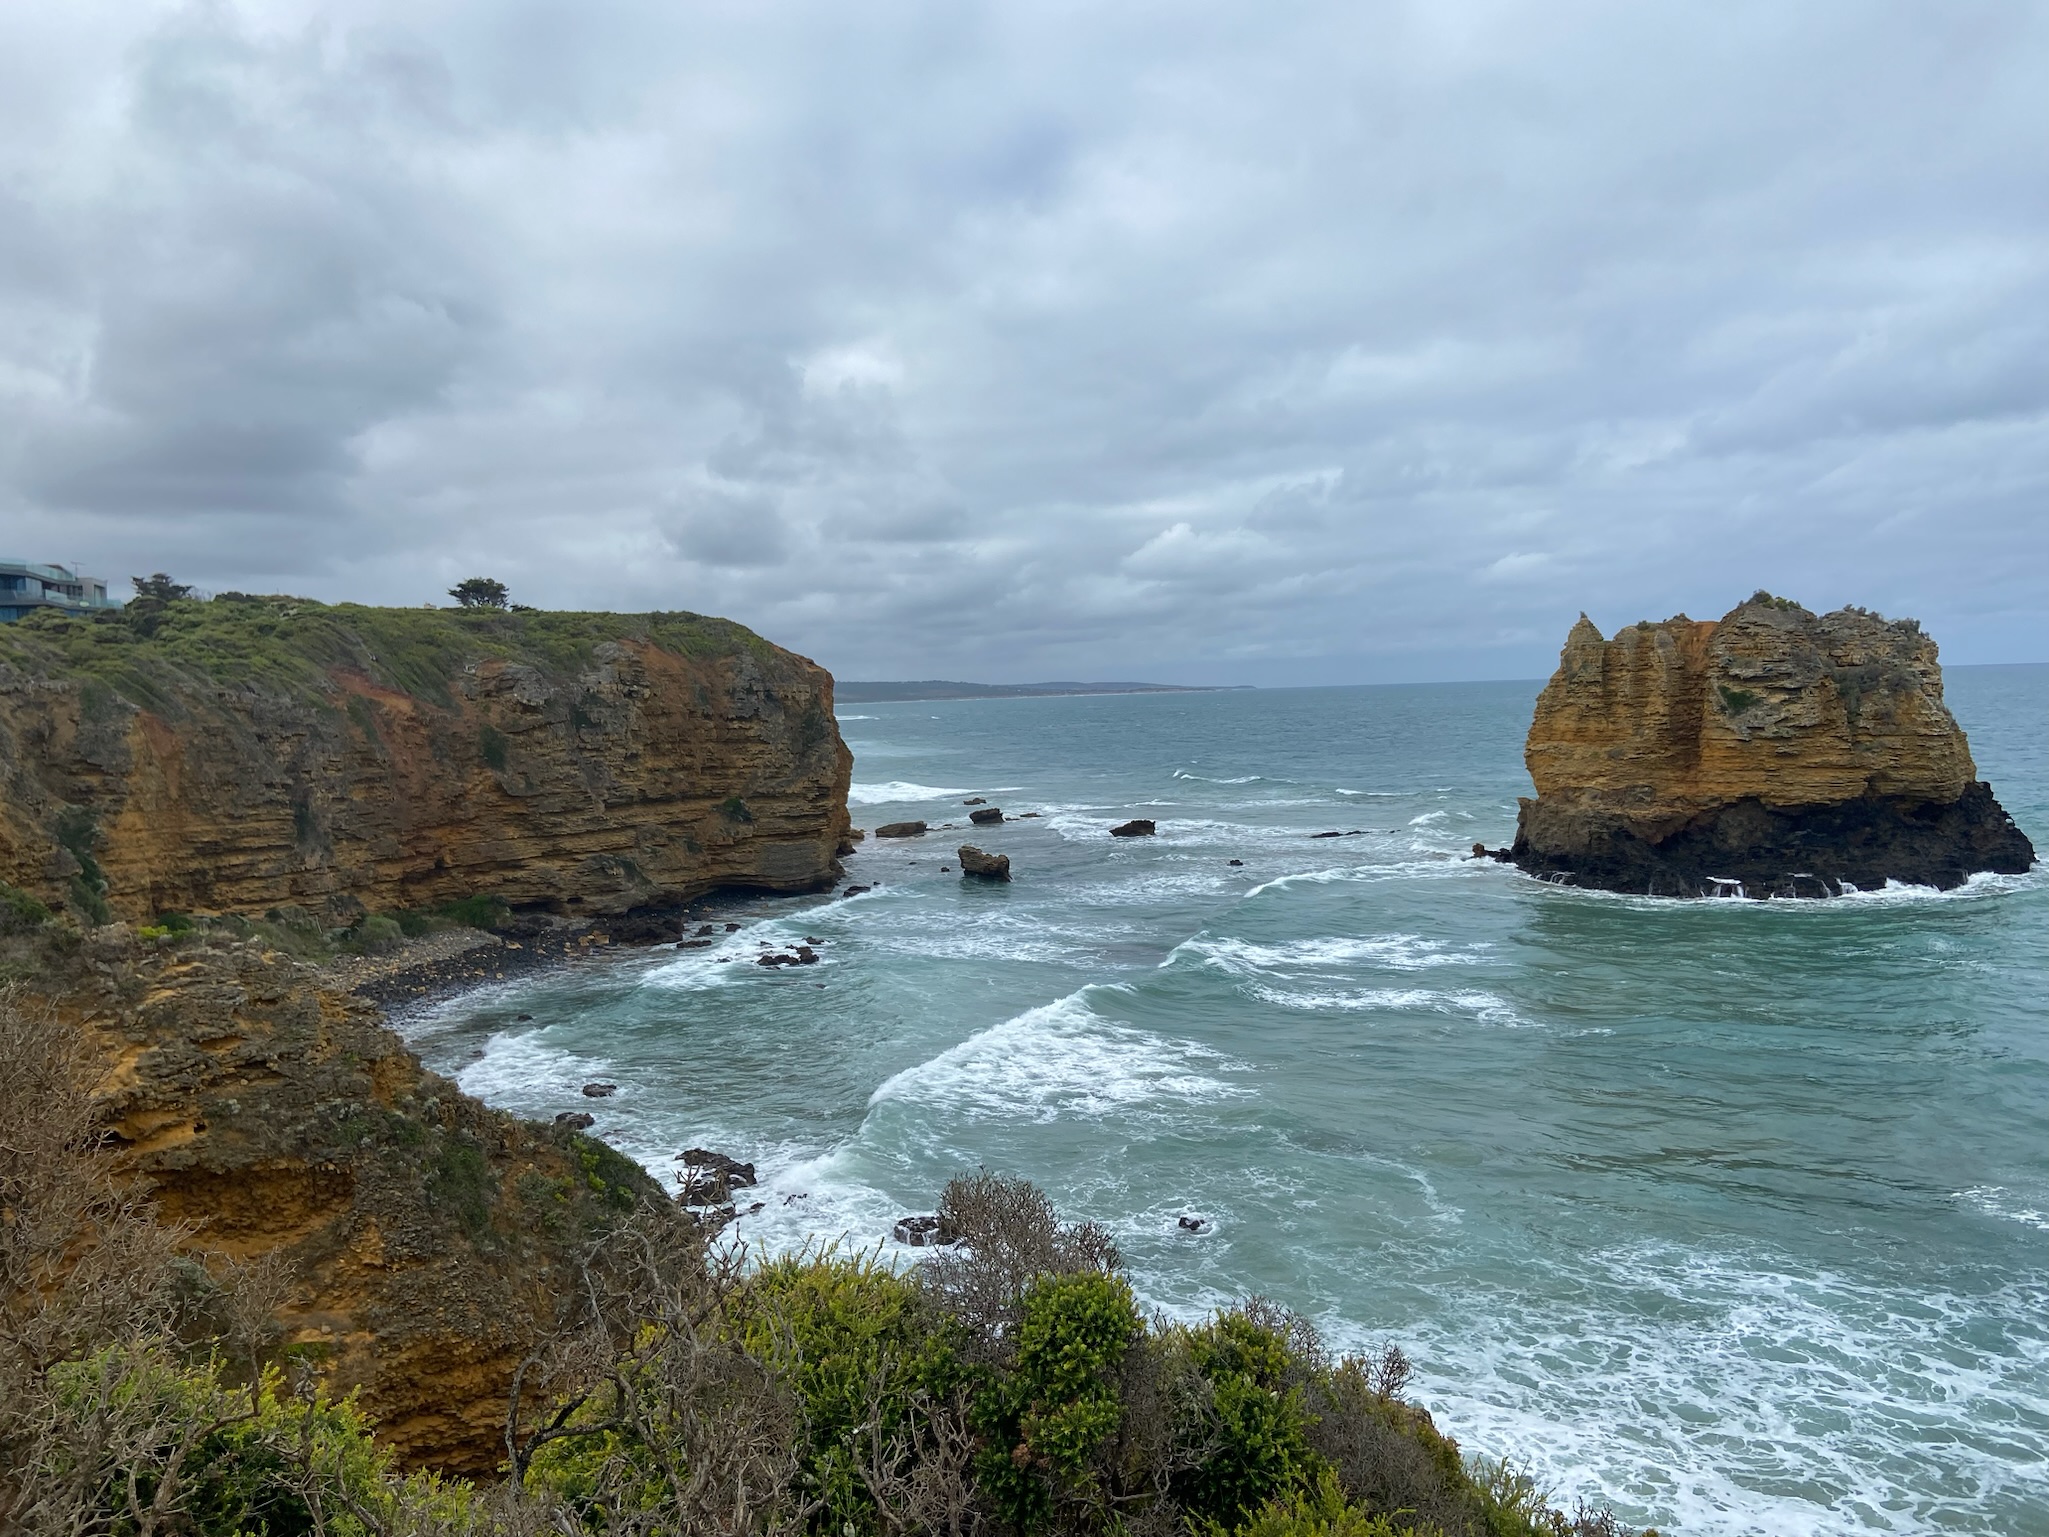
x=1284 y=343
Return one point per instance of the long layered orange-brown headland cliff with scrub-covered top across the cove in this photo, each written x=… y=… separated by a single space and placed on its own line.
x=255 y=753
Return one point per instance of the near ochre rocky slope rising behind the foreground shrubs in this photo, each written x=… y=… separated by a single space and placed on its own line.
x=427 y=1237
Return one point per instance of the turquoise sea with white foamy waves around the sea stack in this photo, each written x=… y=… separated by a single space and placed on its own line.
x=1730 y=1214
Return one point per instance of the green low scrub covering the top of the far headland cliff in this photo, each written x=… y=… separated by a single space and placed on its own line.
x=284 y=645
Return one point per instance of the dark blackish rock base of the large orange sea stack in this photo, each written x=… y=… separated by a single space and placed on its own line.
x=1769 y=851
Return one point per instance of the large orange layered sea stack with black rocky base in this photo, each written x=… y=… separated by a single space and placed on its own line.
x=1769 y=753
